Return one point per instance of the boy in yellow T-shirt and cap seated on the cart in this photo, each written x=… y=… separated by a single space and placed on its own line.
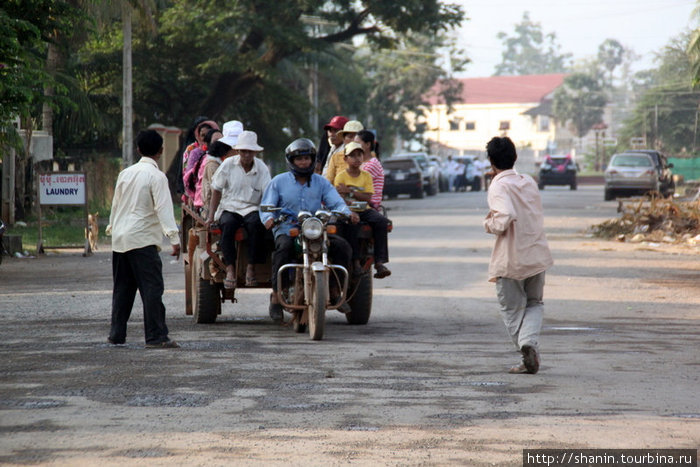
x=356 y=184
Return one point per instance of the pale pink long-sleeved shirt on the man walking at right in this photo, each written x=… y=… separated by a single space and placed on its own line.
x=516 y=218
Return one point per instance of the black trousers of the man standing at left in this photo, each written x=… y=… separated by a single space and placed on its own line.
x=140 y=269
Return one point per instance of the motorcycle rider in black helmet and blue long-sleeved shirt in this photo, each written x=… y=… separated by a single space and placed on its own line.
x=301 y=189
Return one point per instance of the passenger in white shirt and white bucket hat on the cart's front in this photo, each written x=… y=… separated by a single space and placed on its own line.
x=237 y=188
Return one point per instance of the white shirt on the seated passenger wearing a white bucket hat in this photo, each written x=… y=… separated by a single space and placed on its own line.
x=241 y=191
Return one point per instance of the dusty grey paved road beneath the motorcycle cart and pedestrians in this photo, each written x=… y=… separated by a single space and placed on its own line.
x=424 y=382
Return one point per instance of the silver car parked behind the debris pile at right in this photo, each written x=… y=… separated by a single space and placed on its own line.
x=630 y=173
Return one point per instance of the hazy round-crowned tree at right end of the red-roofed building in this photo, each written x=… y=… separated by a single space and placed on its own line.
x=579 y=101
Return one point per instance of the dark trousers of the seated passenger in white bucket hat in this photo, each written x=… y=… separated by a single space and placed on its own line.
x=230 y=222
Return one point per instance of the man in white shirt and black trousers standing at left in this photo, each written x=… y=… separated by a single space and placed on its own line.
x=142 y=211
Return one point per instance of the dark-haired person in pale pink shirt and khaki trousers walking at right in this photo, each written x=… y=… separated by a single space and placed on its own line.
x=520 y=255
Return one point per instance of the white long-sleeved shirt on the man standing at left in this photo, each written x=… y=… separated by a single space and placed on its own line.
x=142 y=209
